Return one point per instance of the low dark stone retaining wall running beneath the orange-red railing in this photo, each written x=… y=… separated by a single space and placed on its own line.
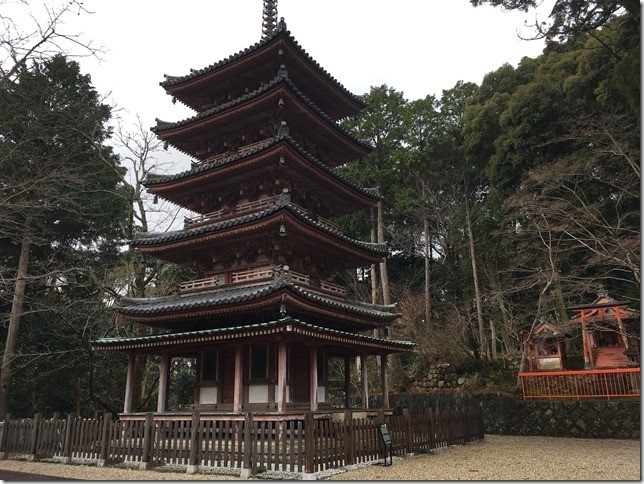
x=511 y=415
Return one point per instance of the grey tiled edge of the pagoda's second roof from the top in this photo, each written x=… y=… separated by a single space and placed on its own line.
x=277 y=80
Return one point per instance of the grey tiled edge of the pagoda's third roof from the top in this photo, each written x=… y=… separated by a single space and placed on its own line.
x=157 y=179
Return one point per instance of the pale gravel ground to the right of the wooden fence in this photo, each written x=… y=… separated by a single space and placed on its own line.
x=505 y=457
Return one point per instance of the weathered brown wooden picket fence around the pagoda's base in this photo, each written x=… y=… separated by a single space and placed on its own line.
x=250 y=443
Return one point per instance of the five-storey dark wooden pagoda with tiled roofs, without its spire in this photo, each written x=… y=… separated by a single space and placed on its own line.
x=264 y=320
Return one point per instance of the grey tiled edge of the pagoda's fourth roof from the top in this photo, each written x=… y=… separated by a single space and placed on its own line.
x=154 y=238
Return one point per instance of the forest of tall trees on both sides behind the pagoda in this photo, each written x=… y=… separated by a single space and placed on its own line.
x=504 y=204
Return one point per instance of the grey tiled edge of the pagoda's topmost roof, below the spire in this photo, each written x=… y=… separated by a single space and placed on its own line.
x=281 y=31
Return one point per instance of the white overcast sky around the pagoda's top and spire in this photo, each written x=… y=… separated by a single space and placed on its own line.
x=419 y=47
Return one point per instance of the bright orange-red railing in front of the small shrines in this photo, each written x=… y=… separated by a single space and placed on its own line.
x=609 y=383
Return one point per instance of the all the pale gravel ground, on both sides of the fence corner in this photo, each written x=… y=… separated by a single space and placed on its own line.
x=497 y=458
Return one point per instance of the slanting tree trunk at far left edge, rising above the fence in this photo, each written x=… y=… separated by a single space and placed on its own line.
x=14 y=320
